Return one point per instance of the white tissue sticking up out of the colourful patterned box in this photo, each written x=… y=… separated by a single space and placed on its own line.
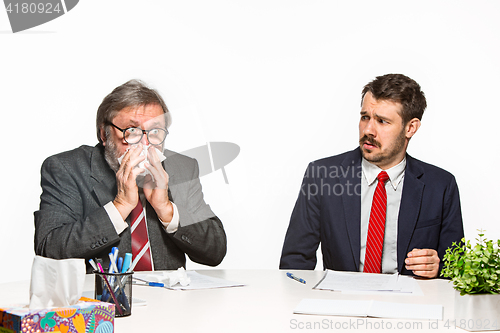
x=56 y=283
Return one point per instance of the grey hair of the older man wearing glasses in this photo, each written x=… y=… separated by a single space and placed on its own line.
x=133 y=93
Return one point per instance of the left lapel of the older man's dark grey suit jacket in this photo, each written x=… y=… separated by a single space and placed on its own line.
x=103 y=178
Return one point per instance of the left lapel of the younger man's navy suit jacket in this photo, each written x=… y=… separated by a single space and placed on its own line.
x=351 y=167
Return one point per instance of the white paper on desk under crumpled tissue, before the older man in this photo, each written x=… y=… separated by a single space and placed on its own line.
x=197 y=281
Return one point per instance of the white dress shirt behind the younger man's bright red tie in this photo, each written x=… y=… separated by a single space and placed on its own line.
x=394 y=189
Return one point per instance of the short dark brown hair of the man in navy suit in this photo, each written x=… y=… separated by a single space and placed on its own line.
x=401 y=89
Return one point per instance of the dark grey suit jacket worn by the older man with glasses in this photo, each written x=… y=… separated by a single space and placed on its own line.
x=72 y=223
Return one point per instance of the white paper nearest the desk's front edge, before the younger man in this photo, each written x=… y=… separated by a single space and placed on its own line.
x=377 y=309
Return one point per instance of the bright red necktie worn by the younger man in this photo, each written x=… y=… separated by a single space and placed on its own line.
x=376 y=227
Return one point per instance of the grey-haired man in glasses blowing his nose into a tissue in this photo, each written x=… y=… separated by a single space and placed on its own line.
x=119 y=193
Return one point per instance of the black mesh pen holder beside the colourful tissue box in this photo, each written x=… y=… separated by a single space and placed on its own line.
x=115 y=288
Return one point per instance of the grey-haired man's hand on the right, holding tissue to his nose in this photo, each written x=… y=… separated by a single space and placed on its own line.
x=156 y=187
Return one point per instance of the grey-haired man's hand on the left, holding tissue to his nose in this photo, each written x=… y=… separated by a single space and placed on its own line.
x=128 y=193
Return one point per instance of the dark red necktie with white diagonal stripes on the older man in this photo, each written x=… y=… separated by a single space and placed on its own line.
x=141 y=251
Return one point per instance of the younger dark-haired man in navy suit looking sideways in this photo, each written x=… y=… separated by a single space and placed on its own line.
x=376 y=209
